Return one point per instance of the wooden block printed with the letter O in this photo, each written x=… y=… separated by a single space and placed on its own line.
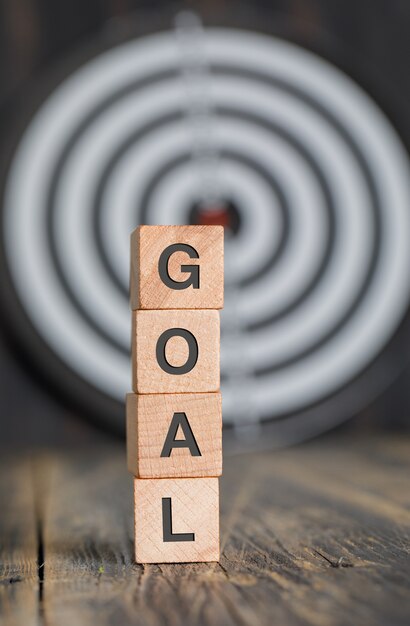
x=175 y=351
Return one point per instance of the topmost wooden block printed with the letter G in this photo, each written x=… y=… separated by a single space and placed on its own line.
x=177 y=267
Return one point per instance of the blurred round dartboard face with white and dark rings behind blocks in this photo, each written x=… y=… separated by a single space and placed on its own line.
x=292 y=156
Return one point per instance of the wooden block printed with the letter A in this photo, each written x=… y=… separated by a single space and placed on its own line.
x=174 y=435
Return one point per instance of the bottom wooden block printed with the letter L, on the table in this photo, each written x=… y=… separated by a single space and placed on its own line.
x=176 y=520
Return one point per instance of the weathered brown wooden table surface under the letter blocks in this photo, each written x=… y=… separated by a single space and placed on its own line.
x=317 y=534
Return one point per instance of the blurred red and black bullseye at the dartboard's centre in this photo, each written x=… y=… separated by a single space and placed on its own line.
x=219 y=213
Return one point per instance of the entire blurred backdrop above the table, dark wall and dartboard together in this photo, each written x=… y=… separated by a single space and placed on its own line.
x=285 y=121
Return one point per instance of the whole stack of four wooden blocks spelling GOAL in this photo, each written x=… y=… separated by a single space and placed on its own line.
x=174 y=416
